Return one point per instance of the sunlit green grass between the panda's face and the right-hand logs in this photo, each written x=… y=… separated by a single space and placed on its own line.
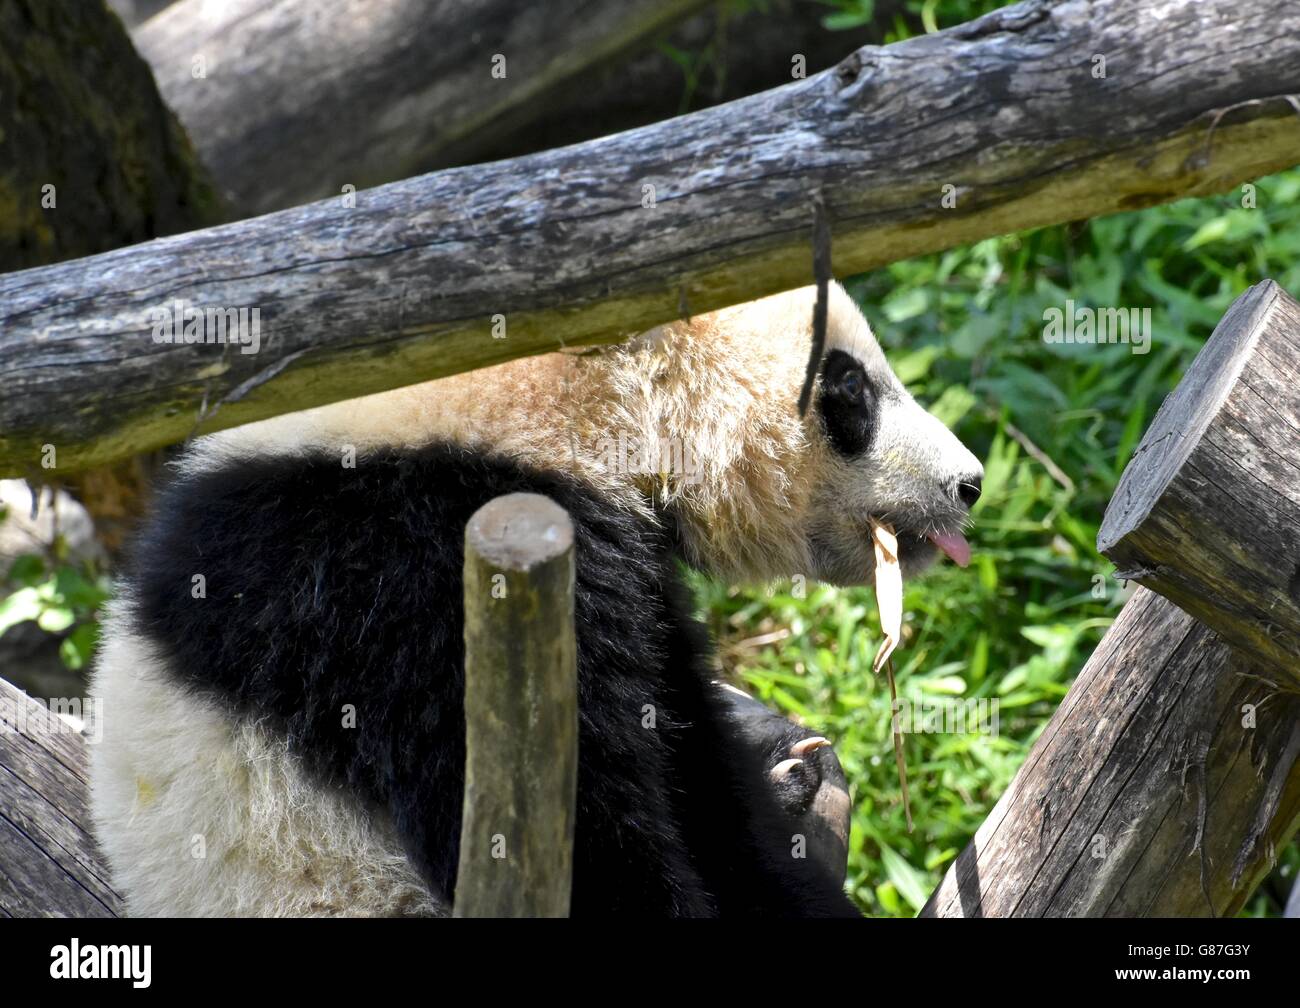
x=964 y=331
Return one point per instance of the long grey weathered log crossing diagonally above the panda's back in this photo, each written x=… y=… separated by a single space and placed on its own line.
x=561 y=249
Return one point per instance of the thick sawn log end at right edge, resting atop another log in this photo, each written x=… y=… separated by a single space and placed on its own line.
x=1208 y=511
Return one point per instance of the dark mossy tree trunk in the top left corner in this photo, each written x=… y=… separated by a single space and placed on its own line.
x=80 y=113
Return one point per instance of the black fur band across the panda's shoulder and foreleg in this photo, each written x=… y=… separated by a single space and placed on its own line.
x=331 y=587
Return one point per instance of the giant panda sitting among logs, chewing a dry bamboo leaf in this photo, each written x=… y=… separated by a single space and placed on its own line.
x=307 y=566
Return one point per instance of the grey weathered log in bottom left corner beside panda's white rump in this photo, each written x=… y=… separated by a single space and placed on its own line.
x=50 y=866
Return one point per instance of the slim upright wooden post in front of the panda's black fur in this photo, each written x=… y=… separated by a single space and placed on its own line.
x=517 y=838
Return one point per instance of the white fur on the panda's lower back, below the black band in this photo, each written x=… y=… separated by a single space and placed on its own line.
x=201 y=817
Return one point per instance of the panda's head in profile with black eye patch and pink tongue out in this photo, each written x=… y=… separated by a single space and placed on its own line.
x=775 y=494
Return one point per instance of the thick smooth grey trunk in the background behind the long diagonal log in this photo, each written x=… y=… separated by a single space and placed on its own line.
x=376 y=133
